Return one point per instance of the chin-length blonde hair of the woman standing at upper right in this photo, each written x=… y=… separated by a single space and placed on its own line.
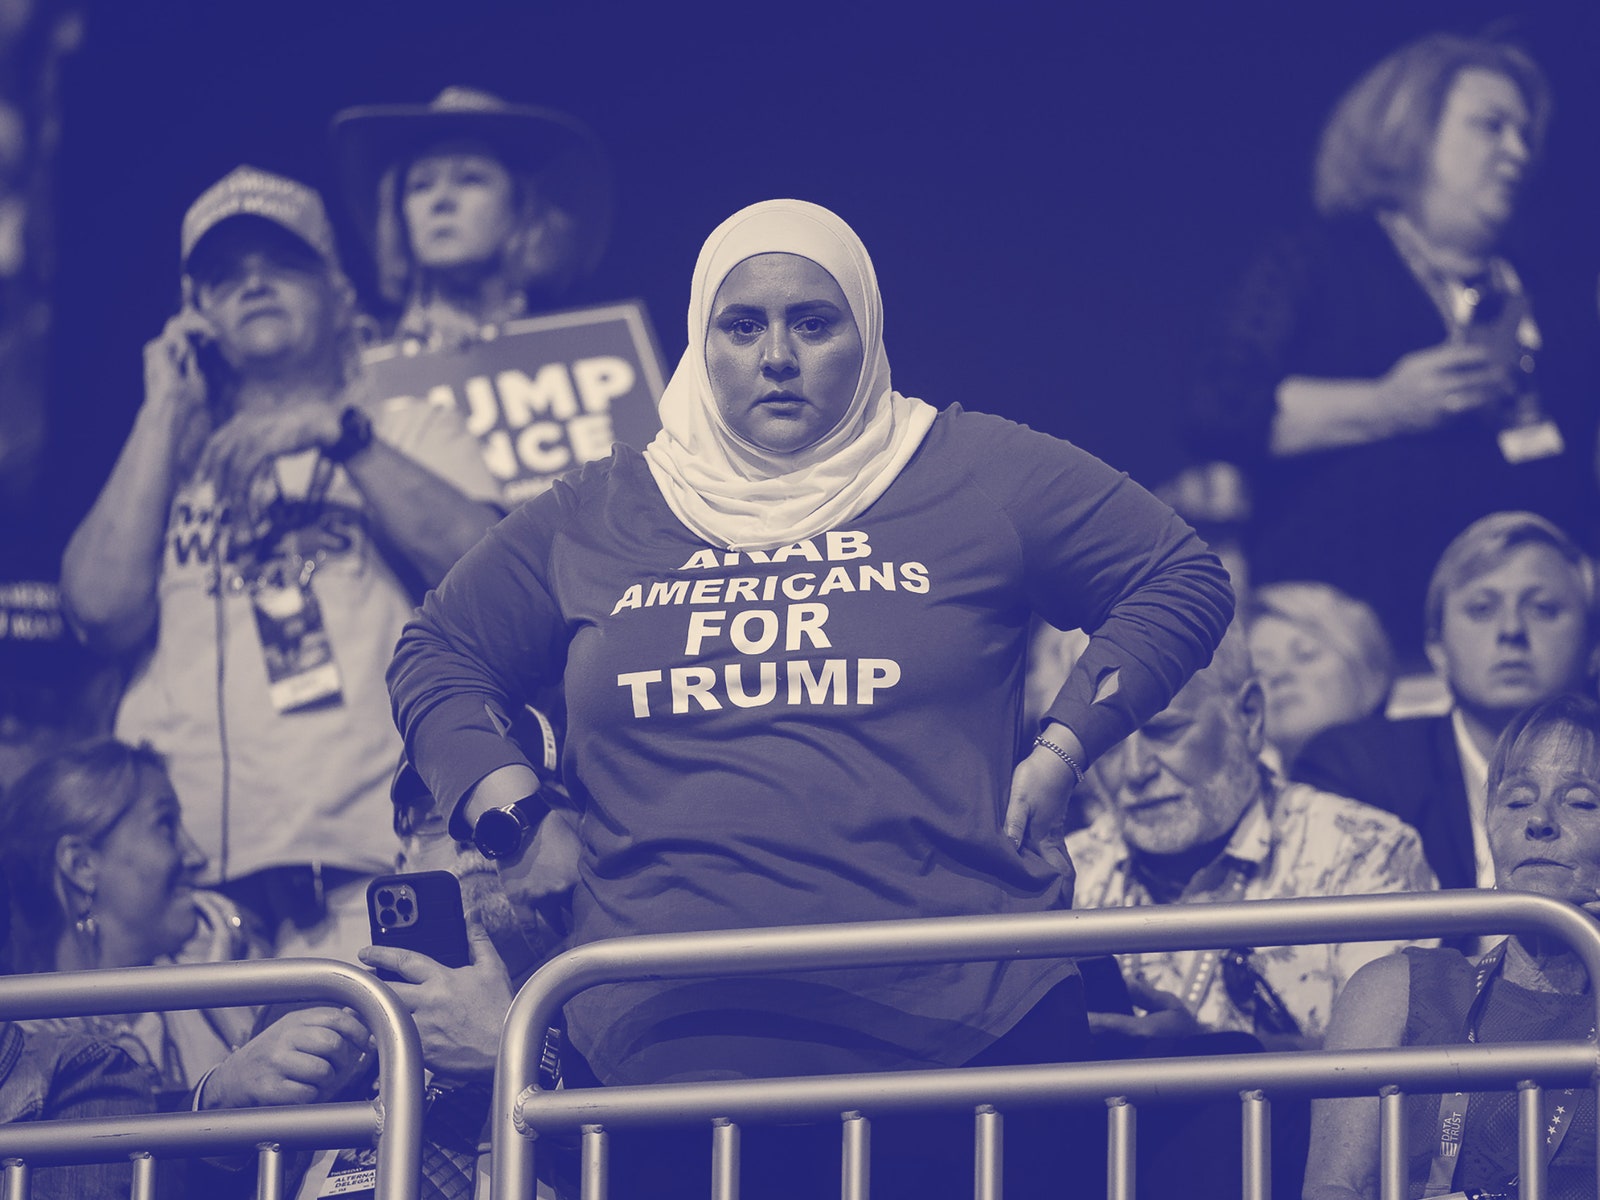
x=1377 y=143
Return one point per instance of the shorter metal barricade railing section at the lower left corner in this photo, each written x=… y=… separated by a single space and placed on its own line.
x=393 y=1122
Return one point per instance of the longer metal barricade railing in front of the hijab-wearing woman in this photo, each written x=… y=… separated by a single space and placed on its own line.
x=522 y=1108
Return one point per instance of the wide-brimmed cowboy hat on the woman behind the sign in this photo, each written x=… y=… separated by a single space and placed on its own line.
x=561 y=151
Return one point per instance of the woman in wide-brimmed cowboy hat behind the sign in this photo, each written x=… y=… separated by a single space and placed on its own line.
x=474 y=209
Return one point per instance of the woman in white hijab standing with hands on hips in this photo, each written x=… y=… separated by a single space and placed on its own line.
x=793 y=638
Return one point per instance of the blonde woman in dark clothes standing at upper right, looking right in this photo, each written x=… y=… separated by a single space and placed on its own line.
x=1375 y=378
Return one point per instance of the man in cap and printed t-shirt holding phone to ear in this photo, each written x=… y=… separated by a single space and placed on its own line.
x=258 y=546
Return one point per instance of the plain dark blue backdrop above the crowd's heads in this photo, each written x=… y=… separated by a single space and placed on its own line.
x=1055 y=196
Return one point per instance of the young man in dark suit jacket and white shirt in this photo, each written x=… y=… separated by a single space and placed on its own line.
x=1511 y=622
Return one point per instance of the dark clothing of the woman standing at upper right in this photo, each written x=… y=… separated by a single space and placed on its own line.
x=1337 y=302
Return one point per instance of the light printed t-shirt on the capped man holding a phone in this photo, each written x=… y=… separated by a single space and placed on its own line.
x=263 y=788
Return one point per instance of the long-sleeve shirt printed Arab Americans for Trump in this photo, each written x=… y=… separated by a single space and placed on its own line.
x=817 y=734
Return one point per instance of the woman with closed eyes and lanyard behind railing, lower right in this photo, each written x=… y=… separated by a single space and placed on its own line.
x=1545 y=838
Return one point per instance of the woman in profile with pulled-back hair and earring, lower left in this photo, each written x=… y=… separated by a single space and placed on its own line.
x=102 y=874
